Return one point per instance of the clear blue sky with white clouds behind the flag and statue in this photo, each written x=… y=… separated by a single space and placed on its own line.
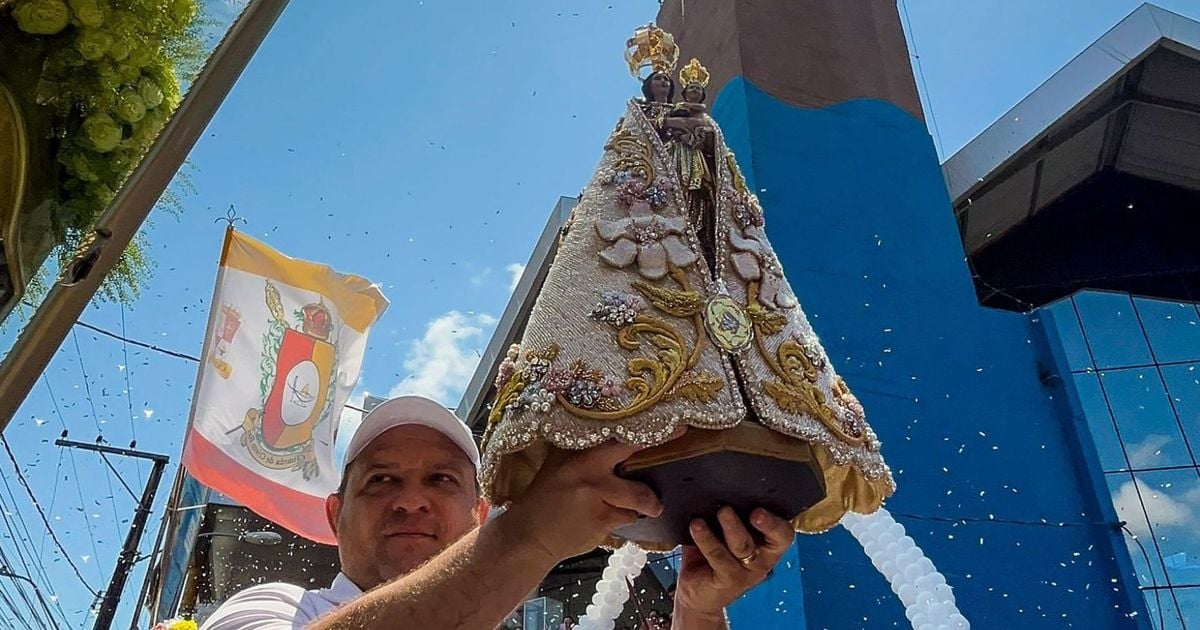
x=421 y=145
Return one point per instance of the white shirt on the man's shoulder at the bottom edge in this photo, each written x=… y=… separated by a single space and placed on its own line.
x=280 y=607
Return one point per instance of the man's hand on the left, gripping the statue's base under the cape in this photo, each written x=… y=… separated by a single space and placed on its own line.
x=578 y=500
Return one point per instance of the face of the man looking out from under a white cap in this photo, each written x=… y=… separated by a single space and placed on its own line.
x=409 y=496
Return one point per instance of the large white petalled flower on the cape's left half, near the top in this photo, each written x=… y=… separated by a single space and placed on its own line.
x=653 y=241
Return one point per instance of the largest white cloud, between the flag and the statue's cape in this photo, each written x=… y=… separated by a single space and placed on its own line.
x=441 y=363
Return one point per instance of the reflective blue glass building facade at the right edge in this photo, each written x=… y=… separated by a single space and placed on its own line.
x=1135 y=368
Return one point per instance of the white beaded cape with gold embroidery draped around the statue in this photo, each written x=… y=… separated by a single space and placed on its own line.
x=635 y=333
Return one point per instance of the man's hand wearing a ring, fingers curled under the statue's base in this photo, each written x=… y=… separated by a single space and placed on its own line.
x=715 y=573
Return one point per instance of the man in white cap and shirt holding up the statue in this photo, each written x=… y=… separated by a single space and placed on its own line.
x=417 y=554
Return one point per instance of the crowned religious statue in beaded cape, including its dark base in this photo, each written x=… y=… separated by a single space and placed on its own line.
x=667 y=307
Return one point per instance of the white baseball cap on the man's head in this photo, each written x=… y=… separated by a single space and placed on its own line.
x=411 y=411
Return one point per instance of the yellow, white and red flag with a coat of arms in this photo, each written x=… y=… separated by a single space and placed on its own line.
x=281 y=356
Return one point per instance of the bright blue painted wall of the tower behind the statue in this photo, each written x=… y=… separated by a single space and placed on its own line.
x=993 y=482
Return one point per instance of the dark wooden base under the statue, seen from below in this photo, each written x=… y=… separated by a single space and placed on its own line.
x=745 y=467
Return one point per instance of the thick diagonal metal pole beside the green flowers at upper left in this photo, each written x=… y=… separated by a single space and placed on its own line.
x=67 y=301
